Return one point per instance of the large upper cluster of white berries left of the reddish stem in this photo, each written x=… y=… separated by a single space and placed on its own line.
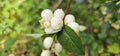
x=52 y=22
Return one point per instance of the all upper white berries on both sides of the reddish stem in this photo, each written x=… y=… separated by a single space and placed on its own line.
x=53 y=22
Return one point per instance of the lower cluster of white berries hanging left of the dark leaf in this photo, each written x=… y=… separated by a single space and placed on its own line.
x=51 y=47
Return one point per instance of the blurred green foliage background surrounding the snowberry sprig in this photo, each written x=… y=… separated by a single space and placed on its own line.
x=21 y=17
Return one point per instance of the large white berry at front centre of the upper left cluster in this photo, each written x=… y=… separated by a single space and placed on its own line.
x=56 y=23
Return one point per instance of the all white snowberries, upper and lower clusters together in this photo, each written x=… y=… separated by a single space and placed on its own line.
x=52 y=23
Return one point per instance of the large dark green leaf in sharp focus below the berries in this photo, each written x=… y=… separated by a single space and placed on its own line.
x=70 y=40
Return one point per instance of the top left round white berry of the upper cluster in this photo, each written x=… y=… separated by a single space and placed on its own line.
x=46 y=14
